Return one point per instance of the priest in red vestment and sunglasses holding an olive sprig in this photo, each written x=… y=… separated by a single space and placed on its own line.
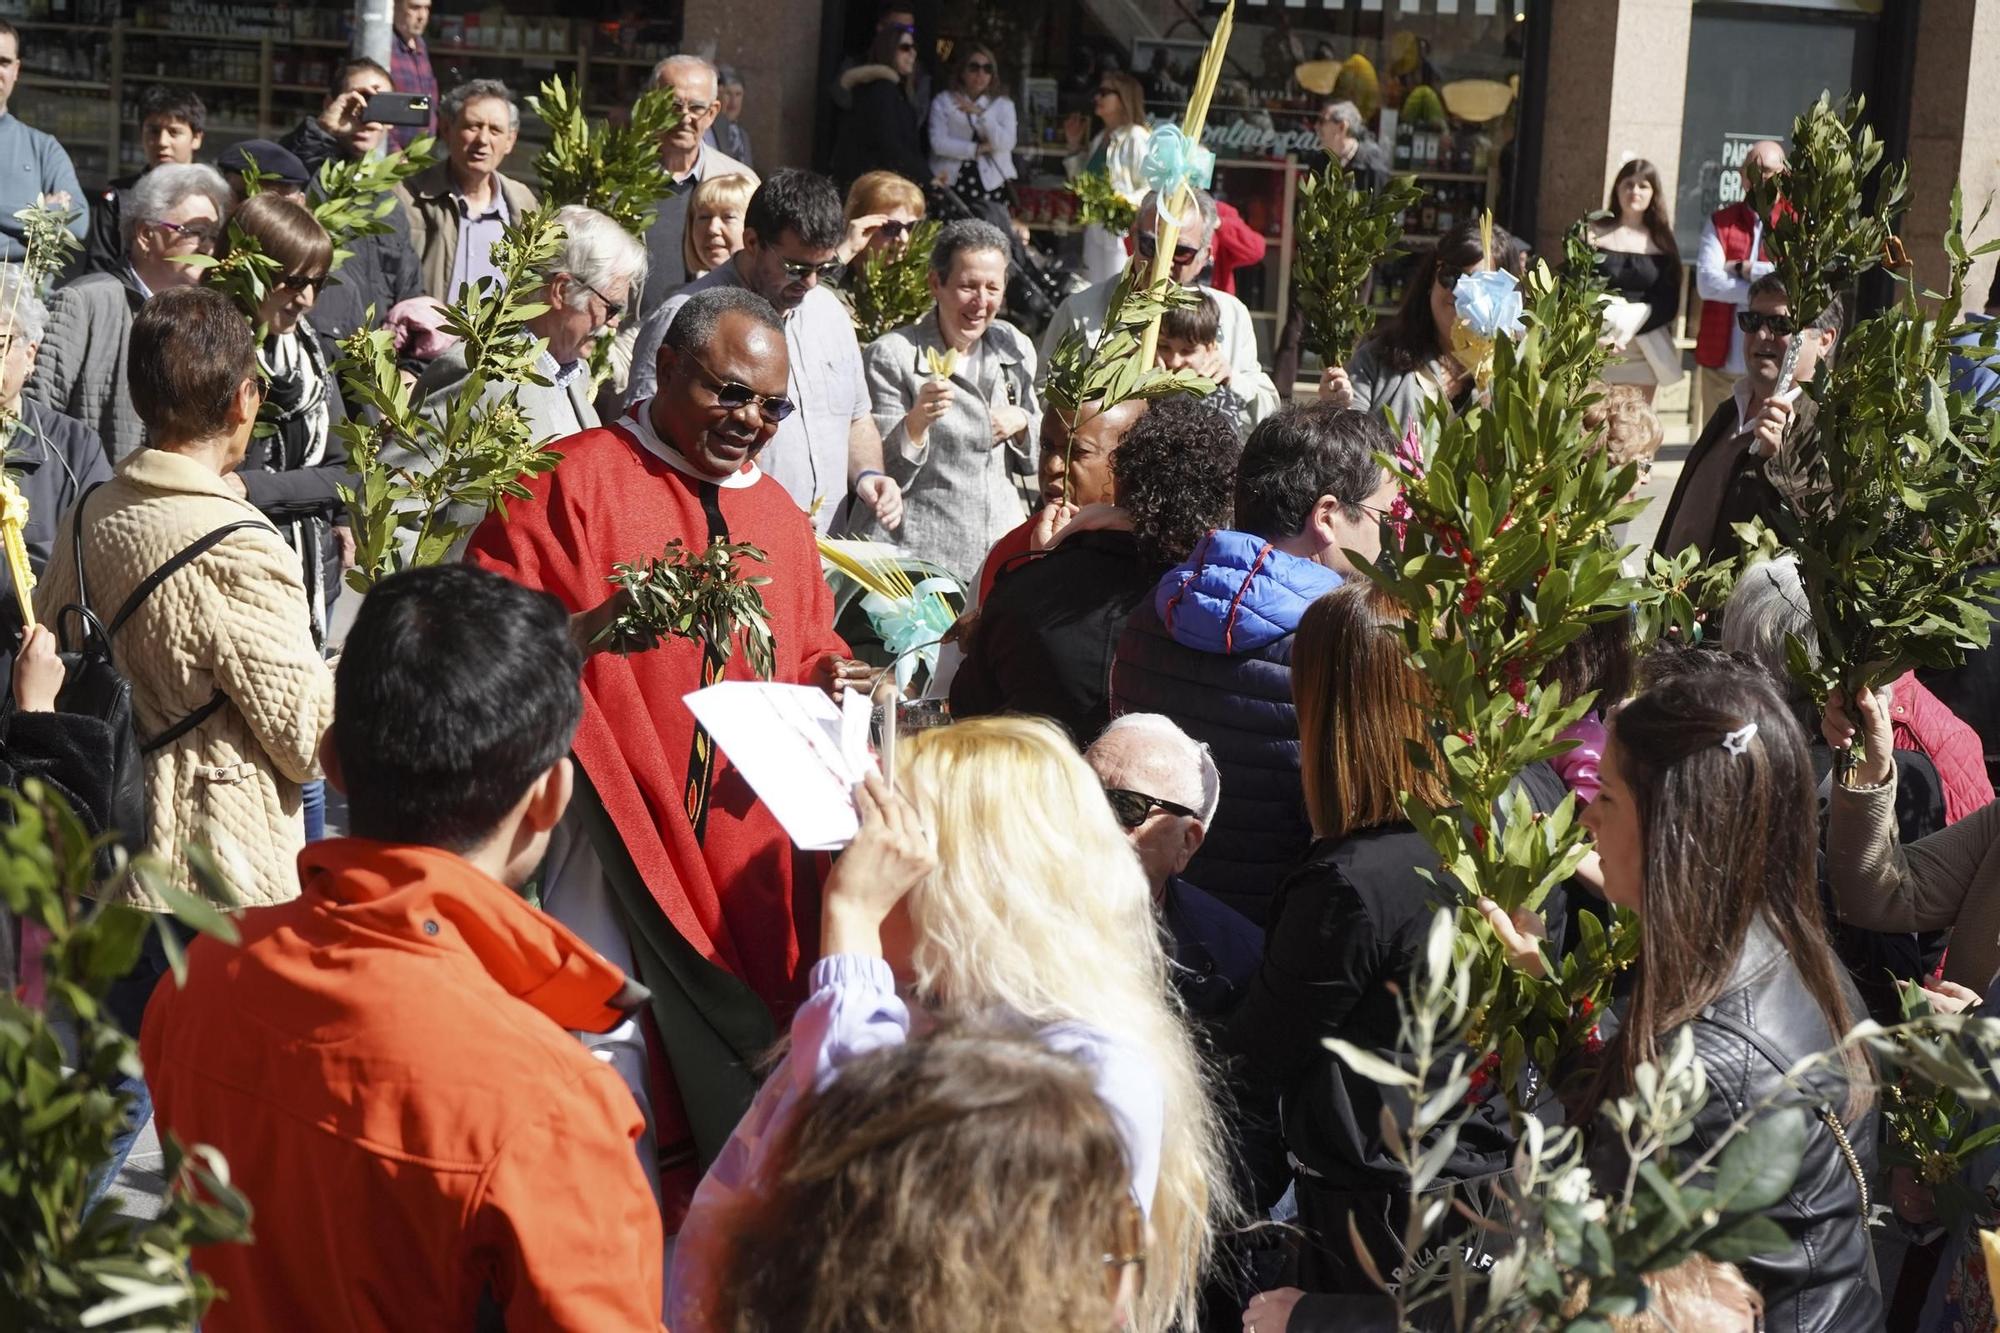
x=669 y=864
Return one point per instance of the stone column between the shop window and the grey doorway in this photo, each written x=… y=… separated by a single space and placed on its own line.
x=1617 y=81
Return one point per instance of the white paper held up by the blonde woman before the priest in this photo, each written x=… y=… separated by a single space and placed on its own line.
x=799 y=750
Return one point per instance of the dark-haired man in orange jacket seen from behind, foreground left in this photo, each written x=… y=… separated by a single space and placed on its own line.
x=385 y=1060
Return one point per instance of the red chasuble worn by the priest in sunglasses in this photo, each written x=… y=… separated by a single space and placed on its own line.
x=735 y=888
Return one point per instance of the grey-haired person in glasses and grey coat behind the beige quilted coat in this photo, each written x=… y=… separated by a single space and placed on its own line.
x=173 y=213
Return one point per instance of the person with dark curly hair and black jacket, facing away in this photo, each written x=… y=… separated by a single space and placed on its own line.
x=1047 y=635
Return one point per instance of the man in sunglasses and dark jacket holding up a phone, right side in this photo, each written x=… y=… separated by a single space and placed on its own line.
x=1757 y=451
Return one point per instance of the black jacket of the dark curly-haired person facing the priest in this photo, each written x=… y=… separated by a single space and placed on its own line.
x=1047 y=635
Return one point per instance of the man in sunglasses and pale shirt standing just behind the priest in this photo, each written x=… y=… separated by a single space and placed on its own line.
x=829 y=449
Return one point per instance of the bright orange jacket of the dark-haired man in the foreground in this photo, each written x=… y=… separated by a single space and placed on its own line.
x=387 y=1070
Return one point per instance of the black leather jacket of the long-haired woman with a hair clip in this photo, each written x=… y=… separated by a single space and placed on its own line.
x=1827 y=1282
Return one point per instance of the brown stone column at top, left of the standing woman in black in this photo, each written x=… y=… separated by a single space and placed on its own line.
x=777 y=51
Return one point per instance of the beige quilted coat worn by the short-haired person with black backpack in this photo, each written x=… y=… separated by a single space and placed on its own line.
x=235 y=619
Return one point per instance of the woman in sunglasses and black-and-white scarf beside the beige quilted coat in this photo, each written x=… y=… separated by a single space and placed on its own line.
x=295 y=471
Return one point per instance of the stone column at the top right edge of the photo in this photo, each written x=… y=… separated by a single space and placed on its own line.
x=1955 y=133
